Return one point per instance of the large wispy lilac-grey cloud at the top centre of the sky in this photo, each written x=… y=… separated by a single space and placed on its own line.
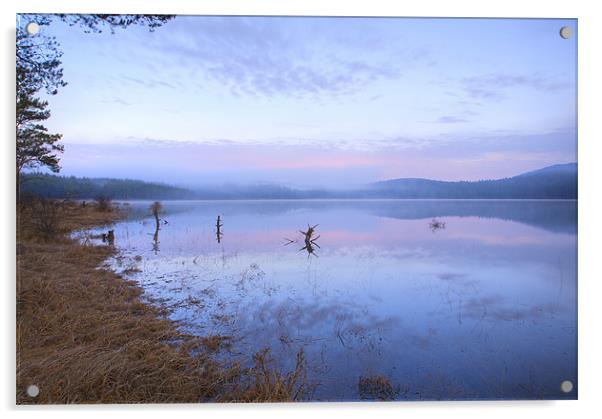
x=273 y=56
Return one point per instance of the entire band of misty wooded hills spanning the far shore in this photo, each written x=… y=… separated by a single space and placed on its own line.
x=553 y=182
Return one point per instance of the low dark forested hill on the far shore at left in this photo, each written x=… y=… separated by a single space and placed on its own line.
x=52 y=186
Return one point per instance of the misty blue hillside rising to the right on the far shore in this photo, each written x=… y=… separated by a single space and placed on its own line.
x=552 y=182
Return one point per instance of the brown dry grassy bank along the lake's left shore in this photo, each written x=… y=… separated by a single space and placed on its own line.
x=85 y=336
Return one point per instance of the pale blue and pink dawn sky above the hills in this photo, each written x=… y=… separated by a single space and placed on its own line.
x=305 y=102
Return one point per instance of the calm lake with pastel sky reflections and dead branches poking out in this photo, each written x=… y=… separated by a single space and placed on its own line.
x=480 y=303
